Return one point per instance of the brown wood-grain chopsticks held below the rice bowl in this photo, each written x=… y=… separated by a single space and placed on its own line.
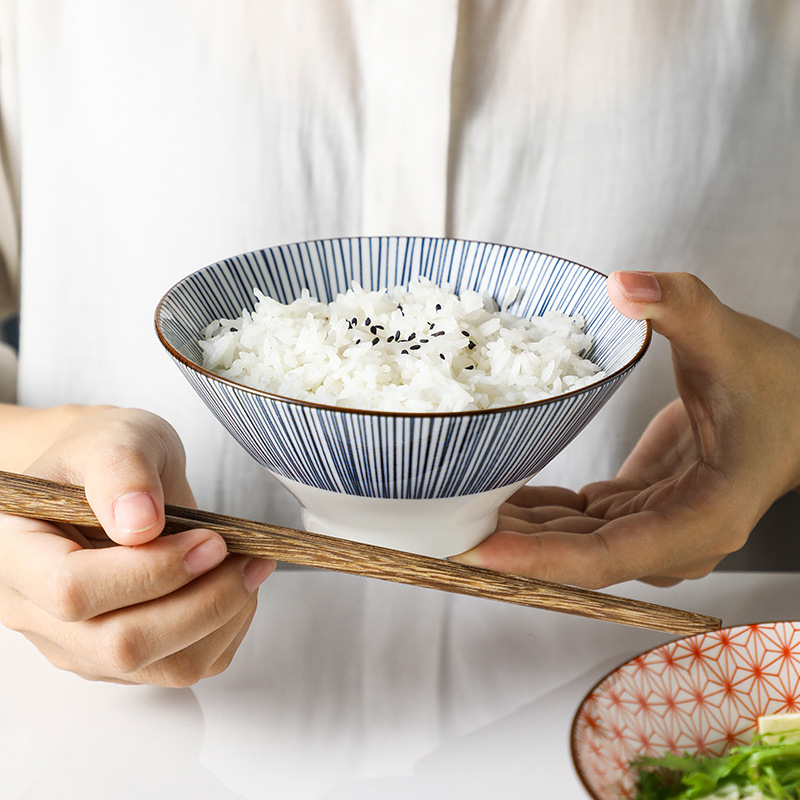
x=37 y=498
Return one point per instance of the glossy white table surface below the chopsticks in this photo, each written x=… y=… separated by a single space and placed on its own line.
x=347 y=688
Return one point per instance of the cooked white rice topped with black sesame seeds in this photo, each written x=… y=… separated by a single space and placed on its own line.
x=416 y=349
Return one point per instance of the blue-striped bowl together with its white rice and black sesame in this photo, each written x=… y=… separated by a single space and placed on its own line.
x=401 y=388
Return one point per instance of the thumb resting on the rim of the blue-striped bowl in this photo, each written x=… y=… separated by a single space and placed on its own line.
x=684 y=310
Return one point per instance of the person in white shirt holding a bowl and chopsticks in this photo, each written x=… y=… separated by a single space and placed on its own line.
x=143 y=139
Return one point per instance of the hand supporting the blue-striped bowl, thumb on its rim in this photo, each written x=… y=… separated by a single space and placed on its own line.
x=705 y=470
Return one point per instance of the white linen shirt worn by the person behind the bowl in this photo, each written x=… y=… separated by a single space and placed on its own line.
x=145 y=139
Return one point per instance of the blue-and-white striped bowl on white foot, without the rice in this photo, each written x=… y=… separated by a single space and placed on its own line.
x=423 y=482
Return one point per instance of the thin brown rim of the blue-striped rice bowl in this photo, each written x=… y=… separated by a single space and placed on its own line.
x=376 y=412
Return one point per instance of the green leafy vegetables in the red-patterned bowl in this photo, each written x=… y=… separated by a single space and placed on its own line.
x=772 y=768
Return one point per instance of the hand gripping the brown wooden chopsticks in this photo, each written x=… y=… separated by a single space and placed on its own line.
x=164 y=610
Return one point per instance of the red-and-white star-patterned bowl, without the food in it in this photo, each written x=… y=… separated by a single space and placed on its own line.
x=700 y=695
